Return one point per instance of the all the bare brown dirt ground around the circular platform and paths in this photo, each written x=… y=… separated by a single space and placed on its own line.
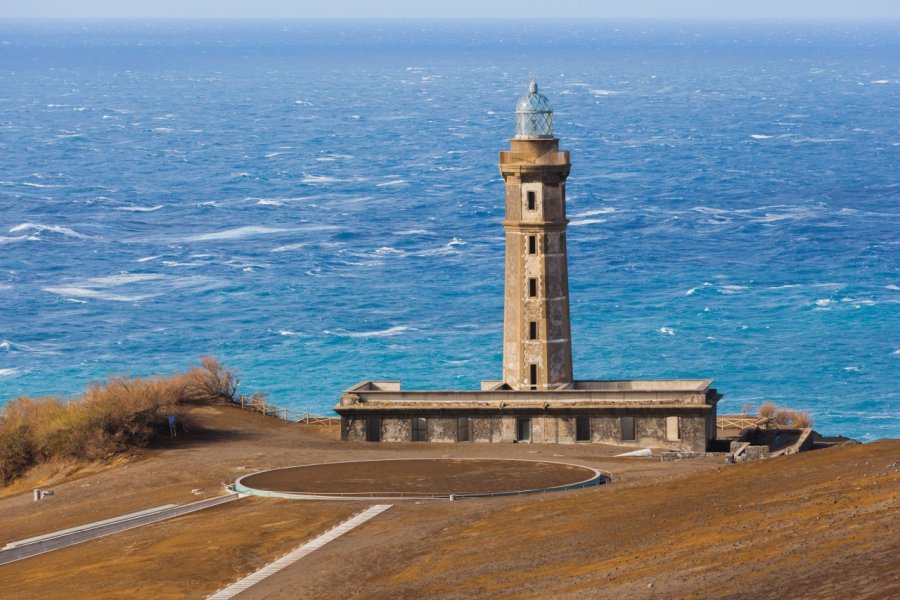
x=822 y=524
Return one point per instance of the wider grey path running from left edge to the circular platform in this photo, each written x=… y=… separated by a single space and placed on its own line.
x=75 y=535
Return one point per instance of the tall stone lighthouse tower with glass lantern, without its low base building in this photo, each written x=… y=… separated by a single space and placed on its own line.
x=537 y=345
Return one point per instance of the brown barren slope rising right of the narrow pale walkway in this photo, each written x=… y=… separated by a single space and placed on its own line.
x=816 y=525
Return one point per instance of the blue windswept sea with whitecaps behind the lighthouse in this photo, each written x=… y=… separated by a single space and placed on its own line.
x=318 y=203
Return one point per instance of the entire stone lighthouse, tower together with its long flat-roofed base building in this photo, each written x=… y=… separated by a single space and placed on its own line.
x=537 y=399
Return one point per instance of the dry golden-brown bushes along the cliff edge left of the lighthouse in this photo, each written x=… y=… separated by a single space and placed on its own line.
x=106 y=420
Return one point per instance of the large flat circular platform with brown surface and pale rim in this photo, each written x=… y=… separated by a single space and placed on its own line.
x=425 y=478
